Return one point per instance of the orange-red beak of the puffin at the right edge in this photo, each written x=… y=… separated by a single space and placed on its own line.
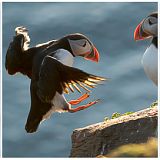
x=139 y=33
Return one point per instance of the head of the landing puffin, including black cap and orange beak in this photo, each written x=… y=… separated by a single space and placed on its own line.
x=80 y=45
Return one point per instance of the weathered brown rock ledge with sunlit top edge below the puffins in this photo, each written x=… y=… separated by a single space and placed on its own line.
x=101 y=138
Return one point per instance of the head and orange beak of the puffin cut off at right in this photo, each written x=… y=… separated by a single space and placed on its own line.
x=147 y=28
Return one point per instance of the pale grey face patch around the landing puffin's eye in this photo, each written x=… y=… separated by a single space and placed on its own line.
x=80 y=47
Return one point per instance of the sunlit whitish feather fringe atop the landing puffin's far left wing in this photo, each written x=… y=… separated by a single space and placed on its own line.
x=24 y=31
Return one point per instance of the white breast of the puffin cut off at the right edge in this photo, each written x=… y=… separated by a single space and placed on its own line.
x=150 y=63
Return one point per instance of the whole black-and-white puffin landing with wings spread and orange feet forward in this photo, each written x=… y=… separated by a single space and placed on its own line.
x=49 y=66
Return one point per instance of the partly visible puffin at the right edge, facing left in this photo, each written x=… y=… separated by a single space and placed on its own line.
x=148 y=28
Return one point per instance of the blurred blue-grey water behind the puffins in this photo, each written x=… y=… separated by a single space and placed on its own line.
x=110 y=26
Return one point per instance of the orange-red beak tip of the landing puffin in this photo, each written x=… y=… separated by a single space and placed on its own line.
x=93 y=56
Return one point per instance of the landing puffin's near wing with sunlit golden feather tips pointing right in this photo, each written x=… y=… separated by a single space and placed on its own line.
x=55 y=76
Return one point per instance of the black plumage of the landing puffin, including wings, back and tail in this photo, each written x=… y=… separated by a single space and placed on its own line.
x=47 y=75
